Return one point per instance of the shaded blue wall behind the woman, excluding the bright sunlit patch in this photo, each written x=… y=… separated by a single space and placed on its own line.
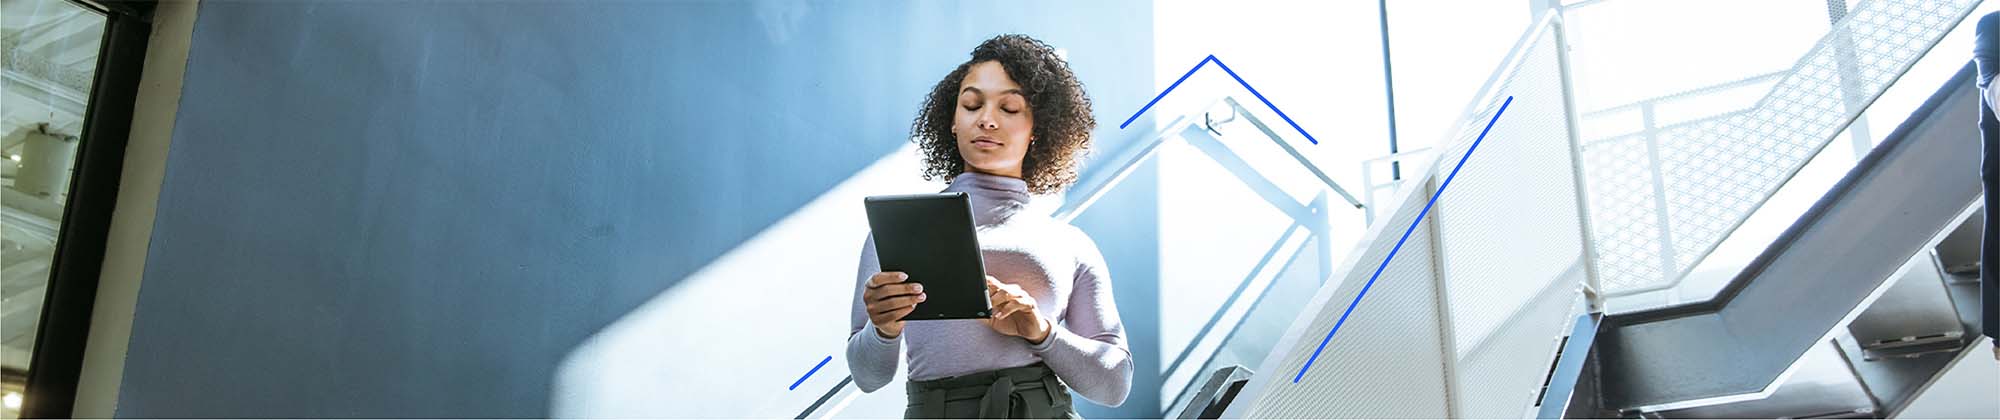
x=417 y=209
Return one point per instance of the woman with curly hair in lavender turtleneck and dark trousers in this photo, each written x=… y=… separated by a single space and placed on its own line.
x=1007 y=125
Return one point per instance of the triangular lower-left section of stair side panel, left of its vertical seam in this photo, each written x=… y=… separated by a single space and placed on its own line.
x=1387 y=359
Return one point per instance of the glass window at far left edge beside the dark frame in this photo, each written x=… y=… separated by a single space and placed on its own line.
x=49 y=51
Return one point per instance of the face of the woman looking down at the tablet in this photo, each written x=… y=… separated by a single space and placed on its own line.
x=993 y=123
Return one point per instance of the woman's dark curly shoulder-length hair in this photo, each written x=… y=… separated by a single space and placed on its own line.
x=1057 y=103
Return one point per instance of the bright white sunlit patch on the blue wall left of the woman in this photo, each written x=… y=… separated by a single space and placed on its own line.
x=733 y=337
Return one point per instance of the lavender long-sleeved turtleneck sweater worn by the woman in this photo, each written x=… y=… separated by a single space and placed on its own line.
x=1053 y=261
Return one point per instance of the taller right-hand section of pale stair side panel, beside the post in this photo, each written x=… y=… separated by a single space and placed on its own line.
x=1511 y=241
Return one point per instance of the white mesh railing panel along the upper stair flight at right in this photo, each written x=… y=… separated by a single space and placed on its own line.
x=1705 y=179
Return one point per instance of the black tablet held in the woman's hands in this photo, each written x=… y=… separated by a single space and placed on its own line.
x=931 y=239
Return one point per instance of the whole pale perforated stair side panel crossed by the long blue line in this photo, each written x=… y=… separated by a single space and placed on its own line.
x=1467 y=317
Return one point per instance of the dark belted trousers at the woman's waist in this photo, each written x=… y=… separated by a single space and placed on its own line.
x=1011 y=393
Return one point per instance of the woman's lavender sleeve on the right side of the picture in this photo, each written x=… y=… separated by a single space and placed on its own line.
x=1089 y=349
